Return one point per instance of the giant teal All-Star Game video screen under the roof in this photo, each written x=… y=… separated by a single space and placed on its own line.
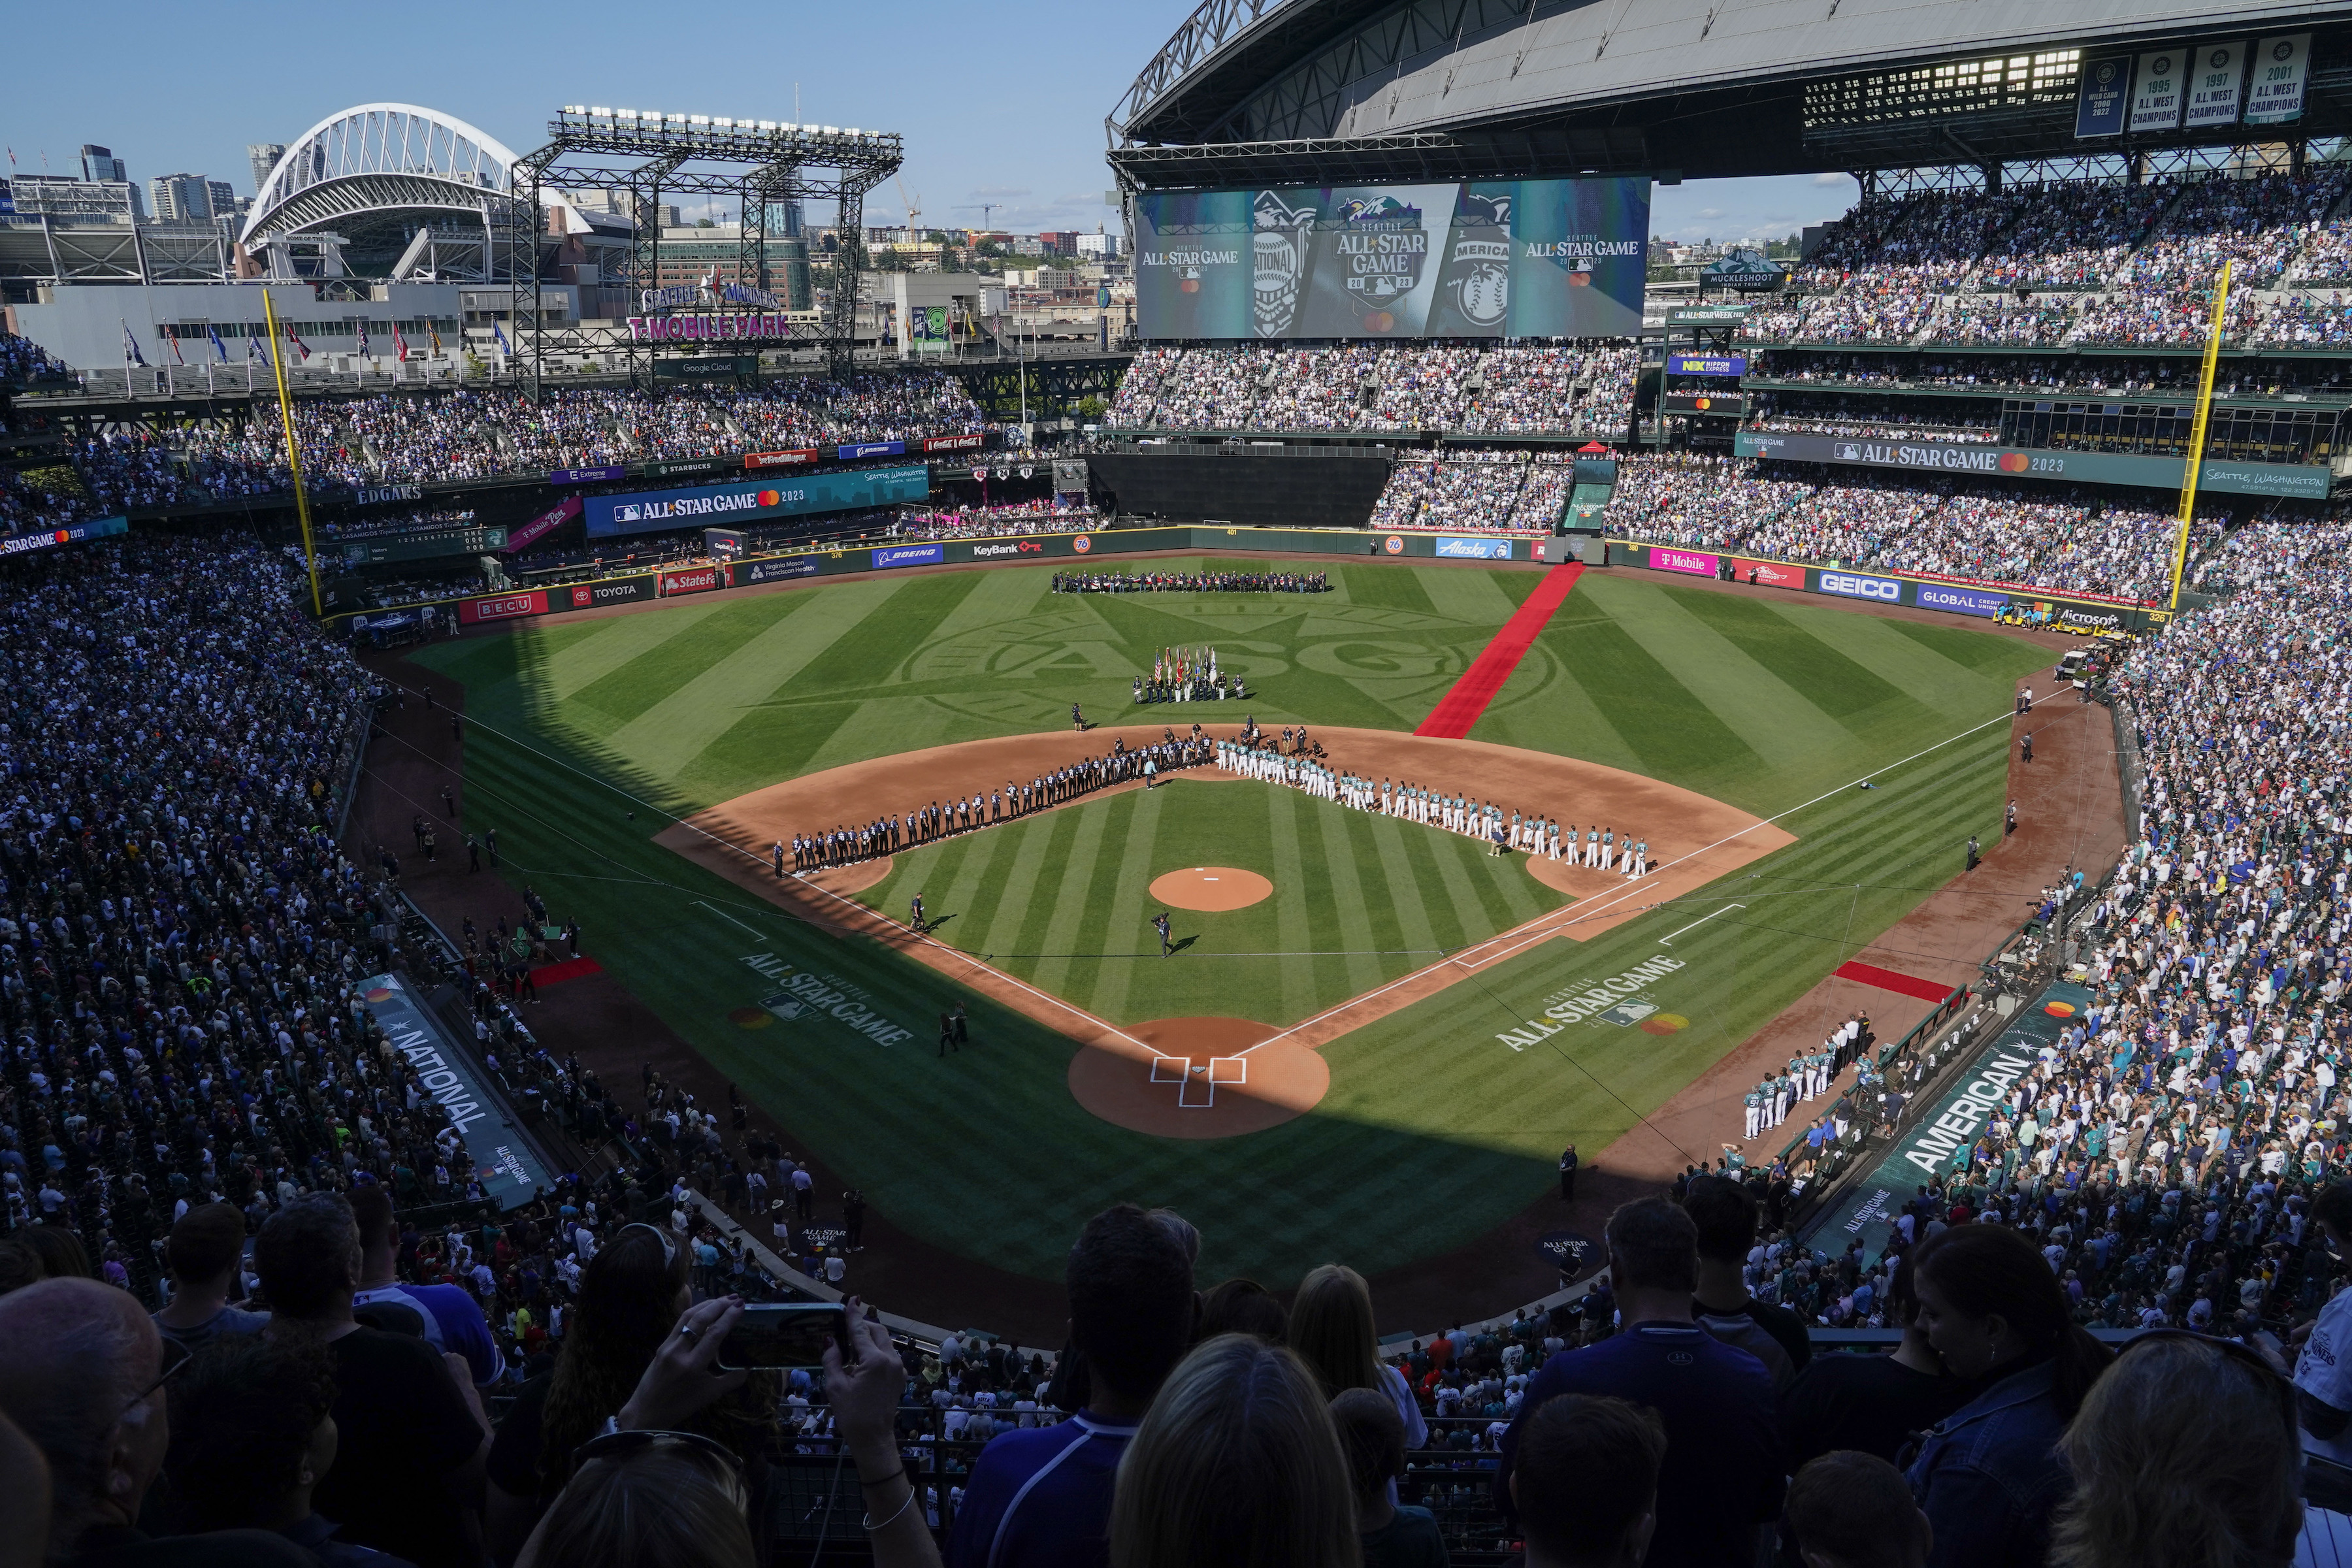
x=1481 y=260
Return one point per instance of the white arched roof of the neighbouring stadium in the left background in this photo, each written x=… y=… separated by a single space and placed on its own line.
x=382 y=163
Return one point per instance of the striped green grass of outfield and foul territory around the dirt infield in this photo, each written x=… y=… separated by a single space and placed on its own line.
x=1443 y=1118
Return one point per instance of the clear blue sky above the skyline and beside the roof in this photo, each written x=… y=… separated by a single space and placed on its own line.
x=998 y=102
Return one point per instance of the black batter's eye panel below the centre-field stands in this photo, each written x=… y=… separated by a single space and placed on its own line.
x=1316 y=488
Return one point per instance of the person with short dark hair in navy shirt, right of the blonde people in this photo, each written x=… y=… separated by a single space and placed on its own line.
x=1723 y=1452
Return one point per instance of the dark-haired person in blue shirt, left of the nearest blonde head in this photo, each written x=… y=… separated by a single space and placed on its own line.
x=1041 y=1499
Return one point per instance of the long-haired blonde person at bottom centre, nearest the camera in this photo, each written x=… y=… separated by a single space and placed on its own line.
x=1236 y=1468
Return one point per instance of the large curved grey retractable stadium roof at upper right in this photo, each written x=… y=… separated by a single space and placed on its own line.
x=1648 y=86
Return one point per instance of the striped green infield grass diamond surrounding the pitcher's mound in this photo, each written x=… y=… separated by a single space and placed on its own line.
x=1062 y=902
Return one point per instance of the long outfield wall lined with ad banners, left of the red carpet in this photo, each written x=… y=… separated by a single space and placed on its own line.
x=1008 y=551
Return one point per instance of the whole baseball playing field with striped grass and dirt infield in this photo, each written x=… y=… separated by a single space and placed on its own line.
x=1561 y=1010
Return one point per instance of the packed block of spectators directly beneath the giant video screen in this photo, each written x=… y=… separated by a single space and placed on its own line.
x=1584 y=389
